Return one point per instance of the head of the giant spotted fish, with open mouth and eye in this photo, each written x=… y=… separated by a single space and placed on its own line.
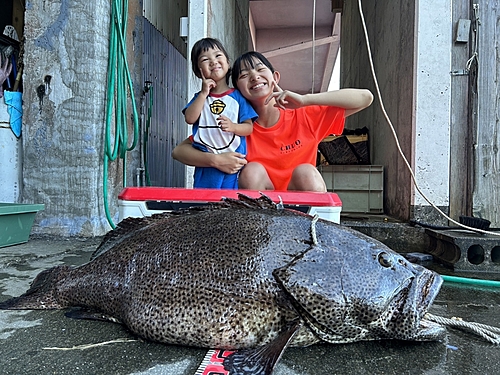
x=363 y=295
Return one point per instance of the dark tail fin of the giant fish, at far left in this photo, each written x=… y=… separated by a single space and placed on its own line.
x=42 y=293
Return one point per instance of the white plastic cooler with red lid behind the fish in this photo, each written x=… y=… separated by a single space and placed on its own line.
x=146 y=201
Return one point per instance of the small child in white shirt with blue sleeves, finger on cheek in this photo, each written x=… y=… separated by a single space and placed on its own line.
x=220 y=115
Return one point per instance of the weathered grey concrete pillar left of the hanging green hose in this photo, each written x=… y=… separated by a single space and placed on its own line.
x=63 y=120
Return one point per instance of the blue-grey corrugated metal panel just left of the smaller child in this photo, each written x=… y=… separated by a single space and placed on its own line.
x=166 y=69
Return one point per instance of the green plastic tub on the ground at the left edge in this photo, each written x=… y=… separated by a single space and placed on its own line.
x=16 y=221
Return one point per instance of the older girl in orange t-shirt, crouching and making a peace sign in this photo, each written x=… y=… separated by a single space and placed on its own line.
x=283 y=146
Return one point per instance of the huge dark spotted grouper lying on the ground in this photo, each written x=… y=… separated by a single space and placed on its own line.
x=244 y=274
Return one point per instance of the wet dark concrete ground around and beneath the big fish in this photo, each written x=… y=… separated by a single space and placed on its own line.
x=25 y=336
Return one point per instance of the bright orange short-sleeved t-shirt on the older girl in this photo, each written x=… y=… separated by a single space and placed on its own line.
x=293 y=140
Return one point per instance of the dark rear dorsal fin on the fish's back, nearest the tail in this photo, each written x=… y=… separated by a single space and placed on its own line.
x=124 y=228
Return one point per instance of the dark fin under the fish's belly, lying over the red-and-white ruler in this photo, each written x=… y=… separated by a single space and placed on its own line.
x=261 y=360
